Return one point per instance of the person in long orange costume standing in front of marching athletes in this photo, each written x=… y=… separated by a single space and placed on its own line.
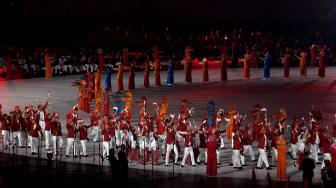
x=281 y=162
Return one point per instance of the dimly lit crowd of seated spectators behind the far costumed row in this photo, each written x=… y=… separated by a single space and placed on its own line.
x=81 y=54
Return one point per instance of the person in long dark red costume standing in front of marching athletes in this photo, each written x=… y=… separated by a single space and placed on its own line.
x=212 y=145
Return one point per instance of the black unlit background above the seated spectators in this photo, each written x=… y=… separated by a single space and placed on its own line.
x=57 y=19
